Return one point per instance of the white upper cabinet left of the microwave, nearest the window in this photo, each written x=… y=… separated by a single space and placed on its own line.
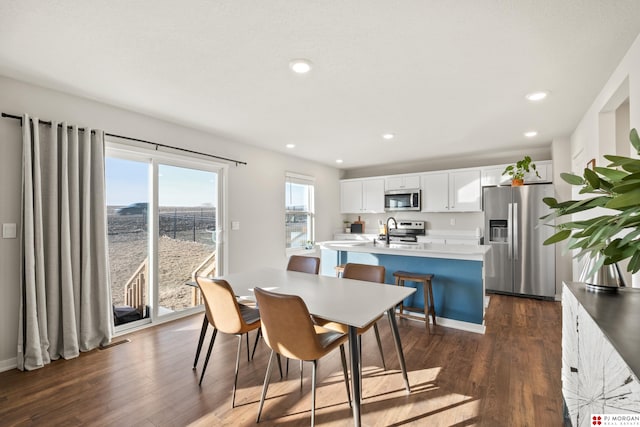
x=362 y=196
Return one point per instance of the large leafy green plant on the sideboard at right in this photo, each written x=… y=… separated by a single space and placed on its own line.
x=614 y=234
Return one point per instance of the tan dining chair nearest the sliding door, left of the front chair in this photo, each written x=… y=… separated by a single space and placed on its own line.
x=227 y=316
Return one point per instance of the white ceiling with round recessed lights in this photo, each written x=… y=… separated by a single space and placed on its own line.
x=447 y=77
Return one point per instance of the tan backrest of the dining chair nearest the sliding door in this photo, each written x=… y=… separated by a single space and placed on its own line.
x=222 y=308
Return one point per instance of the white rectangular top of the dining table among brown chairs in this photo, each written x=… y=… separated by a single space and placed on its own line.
x=352 y=302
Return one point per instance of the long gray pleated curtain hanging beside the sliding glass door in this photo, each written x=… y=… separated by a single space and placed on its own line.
x=65 y=293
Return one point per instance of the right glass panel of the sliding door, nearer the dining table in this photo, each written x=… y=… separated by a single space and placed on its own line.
x=187 y=226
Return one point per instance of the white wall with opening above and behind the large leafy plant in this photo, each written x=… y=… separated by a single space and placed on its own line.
x=586 y=142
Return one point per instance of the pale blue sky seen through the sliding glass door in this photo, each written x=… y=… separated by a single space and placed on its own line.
x=128 y=182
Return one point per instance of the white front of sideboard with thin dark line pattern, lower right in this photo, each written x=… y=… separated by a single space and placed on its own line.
x=595 y=378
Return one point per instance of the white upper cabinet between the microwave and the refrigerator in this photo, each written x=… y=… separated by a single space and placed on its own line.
x=452 y=191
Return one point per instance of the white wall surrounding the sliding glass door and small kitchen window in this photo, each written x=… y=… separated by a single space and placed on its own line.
x=255 y=191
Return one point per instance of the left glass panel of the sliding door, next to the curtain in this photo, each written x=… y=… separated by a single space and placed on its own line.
x=127 y=186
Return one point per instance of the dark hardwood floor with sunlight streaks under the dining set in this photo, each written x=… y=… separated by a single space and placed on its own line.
x=509 y=376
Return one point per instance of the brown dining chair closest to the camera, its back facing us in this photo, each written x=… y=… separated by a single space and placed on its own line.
x=288 y=330
